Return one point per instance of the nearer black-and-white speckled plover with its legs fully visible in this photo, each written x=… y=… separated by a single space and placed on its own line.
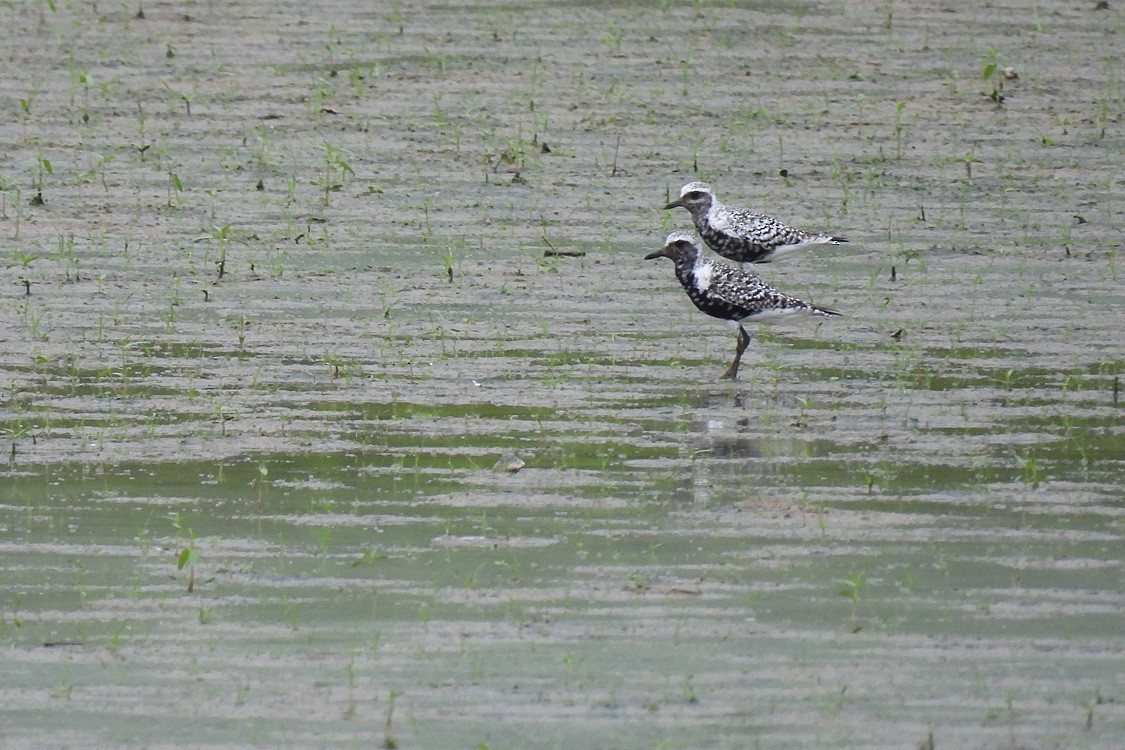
x=728 y=293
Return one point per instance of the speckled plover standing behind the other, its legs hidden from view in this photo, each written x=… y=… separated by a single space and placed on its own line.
x=740 y=234
